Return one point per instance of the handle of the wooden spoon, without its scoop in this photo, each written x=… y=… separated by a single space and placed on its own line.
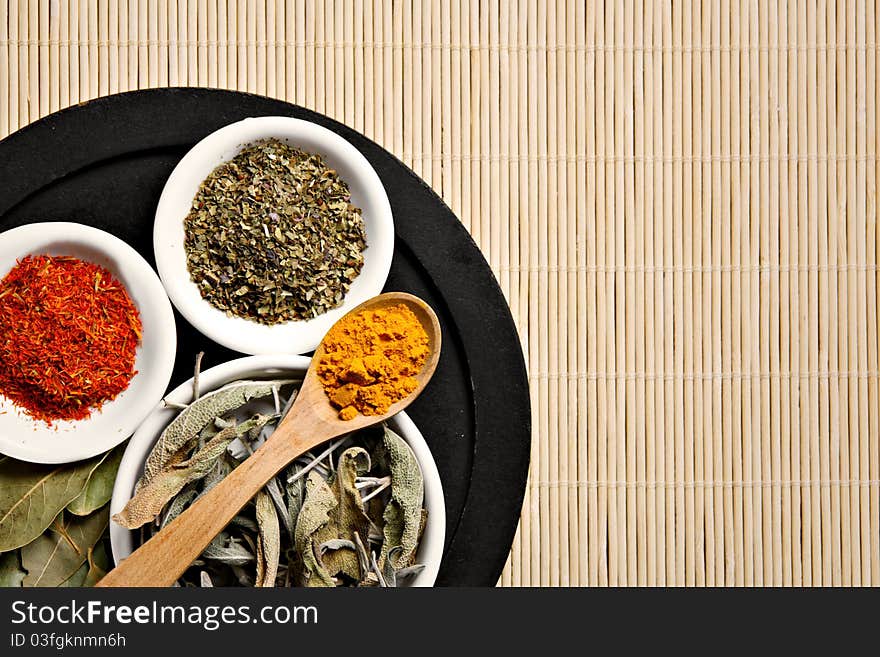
x=165 y=557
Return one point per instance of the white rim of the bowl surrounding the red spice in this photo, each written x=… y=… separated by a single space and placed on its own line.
x=142 y=284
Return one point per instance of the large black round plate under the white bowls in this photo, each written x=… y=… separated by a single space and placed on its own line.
x=104 y=163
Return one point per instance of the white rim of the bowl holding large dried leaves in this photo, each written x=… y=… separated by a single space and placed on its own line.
x=122 y=540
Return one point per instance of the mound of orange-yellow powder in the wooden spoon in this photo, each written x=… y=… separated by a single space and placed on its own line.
x=371 y=359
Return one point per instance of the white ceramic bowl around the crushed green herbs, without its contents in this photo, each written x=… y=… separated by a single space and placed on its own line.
x=242 y=334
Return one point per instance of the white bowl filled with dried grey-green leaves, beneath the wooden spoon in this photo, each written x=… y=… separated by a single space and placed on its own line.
x=365 y=509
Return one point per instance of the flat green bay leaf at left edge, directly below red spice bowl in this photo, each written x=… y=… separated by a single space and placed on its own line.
x=32 y=495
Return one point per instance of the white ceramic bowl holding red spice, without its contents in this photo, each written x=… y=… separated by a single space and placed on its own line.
x=24 y=438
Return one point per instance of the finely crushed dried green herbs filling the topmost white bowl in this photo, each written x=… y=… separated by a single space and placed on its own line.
x=272 y=235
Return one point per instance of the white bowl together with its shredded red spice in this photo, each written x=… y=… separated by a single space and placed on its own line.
x=87 y=341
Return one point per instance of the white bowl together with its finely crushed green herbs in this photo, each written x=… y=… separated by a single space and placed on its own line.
x=269 y=230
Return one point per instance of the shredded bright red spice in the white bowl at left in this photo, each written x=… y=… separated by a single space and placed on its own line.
x=68 y=336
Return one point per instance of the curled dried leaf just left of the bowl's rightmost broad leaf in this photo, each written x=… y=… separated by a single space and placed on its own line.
x=347 y=517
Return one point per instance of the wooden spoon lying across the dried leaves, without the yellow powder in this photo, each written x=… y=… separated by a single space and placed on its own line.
x=309 y=422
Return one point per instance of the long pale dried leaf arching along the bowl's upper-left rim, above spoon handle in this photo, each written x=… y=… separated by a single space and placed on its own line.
x=194 y=418
